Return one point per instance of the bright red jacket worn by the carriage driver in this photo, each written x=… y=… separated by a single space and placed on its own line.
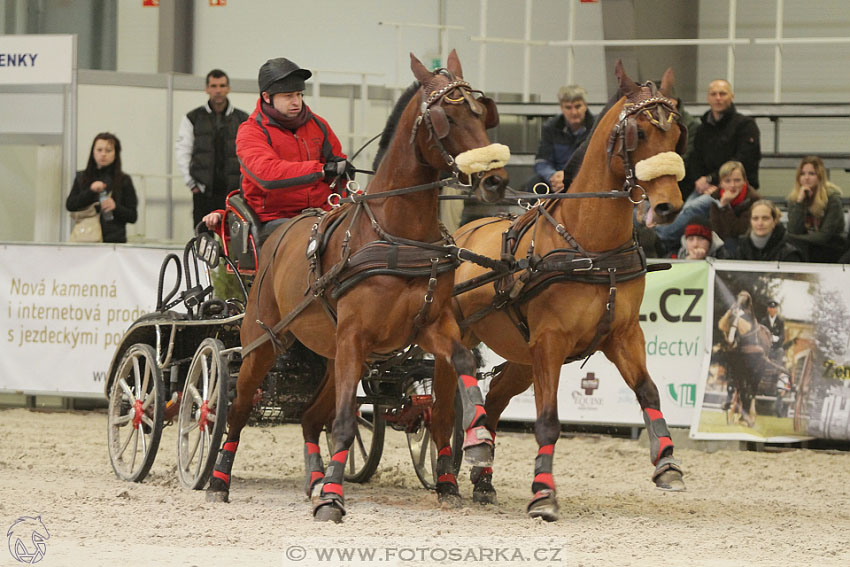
x=281 y=170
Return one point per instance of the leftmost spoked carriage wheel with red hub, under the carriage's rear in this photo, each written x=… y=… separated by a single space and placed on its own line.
x=136 y=405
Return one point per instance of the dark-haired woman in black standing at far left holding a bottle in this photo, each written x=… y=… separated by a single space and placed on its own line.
x=103 y=182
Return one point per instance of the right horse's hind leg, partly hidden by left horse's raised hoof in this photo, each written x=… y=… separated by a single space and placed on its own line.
x=510 y=380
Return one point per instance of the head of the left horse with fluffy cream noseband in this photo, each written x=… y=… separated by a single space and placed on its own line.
x=450 y=132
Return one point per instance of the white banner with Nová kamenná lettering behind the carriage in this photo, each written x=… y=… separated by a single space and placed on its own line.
x=65 y=310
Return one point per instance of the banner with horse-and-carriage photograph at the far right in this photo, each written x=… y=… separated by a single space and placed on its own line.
x=779 y=369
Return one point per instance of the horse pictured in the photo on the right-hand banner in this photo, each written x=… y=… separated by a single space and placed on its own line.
x=745 y=345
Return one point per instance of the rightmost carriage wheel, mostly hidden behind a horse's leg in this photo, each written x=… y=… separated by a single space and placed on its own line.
x=423 y=450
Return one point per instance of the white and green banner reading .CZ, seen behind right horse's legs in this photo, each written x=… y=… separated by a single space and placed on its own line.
x=673 y=319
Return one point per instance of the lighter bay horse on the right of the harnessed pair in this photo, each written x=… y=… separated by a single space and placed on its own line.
x=579 y=282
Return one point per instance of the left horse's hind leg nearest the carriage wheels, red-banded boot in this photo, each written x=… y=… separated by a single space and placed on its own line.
x=254 y=368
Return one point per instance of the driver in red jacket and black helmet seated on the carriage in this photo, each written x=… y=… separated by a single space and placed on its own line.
x=288 y=156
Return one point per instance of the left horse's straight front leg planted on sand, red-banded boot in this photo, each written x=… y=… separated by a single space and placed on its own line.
x=348 y=369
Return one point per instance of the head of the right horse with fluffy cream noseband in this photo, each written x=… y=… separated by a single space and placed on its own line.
x=645 y=146
